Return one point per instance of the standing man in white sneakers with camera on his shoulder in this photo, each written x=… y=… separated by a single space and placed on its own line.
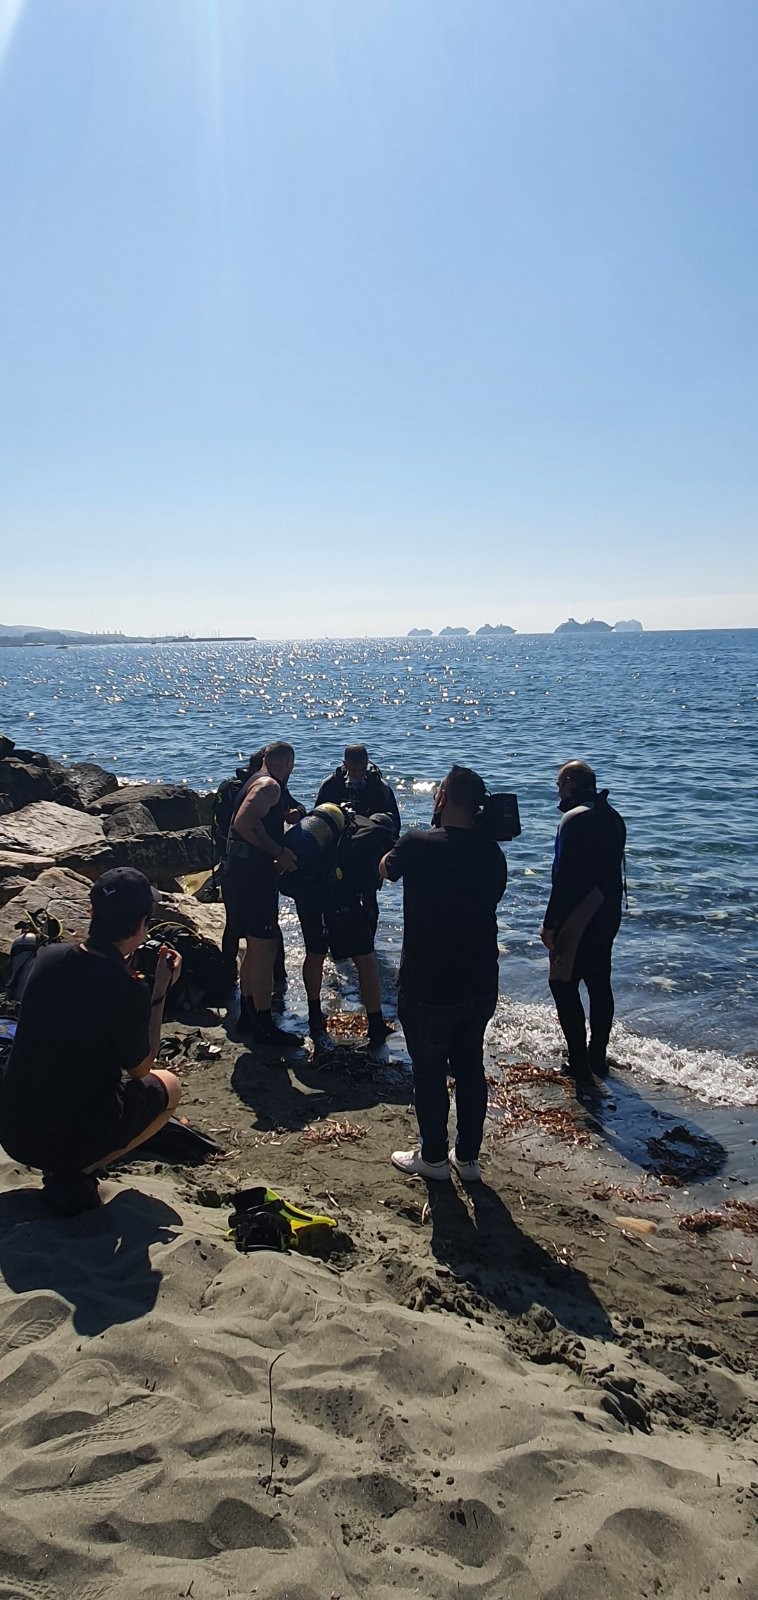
x=453 y=879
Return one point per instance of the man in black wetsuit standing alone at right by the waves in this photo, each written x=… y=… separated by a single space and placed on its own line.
x=583 y=914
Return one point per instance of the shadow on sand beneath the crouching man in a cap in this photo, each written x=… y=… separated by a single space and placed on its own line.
x=98 y=1262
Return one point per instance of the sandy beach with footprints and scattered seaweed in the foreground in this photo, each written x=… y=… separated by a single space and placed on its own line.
x=538 y=1388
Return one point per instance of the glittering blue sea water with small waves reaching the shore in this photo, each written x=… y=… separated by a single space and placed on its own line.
x=669 y=722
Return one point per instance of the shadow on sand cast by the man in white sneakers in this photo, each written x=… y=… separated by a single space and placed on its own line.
x=495 y=1258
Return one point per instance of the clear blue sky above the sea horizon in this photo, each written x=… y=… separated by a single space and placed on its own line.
x=348 y=316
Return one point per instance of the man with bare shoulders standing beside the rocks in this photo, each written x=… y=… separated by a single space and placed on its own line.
x=257 y=857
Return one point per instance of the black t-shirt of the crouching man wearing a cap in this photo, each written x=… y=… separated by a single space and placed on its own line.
x=86 y=1020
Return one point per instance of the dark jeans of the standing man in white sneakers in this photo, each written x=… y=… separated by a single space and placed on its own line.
x=449 y=1042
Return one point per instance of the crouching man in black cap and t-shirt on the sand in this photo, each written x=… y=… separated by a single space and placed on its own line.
x=82 y=1087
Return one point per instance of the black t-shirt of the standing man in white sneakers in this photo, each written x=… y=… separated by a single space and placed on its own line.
x=453 y=879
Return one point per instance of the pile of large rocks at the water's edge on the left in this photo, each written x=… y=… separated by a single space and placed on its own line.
x=63 y=826
